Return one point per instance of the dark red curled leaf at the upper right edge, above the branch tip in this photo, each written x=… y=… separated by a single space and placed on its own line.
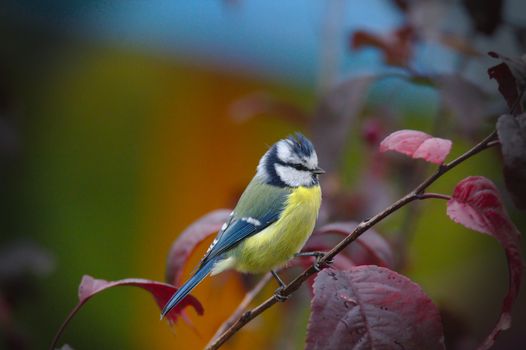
x=511 y=77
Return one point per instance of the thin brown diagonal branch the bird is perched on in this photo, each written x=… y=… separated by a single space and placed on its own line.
x=416 y=194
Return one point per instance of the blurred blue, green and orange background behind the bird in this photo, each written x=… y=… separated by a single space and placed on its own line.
x=121 y=123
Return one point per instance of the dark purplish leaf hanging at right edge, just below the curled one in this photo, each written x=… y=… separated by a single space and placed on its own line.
x=512 y=136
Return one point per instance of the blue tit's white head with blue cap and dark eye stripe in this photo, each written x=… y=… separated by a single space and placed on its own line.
x=290 y=162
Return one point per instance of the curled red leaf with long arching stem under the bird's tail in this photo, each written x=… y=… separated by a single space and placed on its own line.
x=161 y=292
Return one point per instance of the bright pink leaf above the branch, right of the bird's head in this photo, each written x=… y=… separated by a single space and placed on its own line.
x=417 y=144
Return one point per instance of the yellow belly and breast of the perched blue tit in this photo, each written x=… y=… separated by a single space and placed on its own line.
x=274 y=246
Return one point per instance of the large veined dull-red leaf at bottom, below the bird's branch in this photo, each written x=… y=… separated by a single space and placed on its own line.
x=370 y=307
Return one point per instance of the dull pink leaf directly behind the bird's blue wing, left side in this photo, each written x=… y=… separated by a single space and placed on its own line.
x=188 y=240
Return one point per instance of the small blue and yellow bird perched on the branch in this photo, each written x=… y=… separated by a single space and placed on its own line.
x=272 y=220
